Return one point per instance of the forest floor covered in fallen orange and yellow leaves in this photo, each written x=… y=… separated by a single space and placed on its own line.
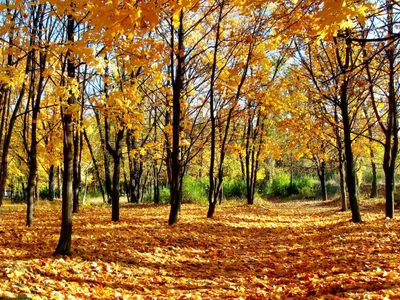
x=271 y=250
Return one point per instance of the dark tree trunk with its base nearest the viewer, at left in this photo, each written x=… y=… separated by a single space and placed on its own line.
x=64 y=243
